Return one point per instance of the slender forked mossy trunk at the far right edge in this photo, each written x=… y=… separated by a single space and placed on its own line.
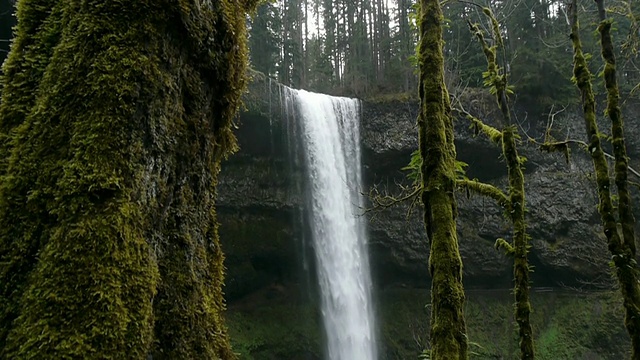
x=621 y=247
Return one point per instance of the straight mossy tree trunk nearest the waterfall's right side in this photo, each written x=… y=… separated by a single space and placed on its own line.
x=435 y=131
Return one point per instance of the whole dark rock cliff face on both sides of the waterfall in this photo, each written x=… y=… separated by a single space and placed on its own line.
x=261 y=186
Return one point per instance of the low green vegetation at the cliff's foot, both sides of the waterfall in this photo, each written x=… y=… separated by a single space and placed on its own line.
x=568 y=325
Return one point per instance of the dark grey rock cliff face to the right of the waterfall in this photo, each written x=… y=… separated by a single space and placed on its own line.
x=567 y=243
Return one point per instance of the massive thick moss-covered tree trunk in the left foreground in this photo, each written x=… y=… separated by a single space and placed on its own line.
x=113 y=122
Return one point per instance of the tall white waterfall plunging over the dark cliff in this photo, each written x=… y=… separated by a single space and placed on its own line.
x=331 y=140
